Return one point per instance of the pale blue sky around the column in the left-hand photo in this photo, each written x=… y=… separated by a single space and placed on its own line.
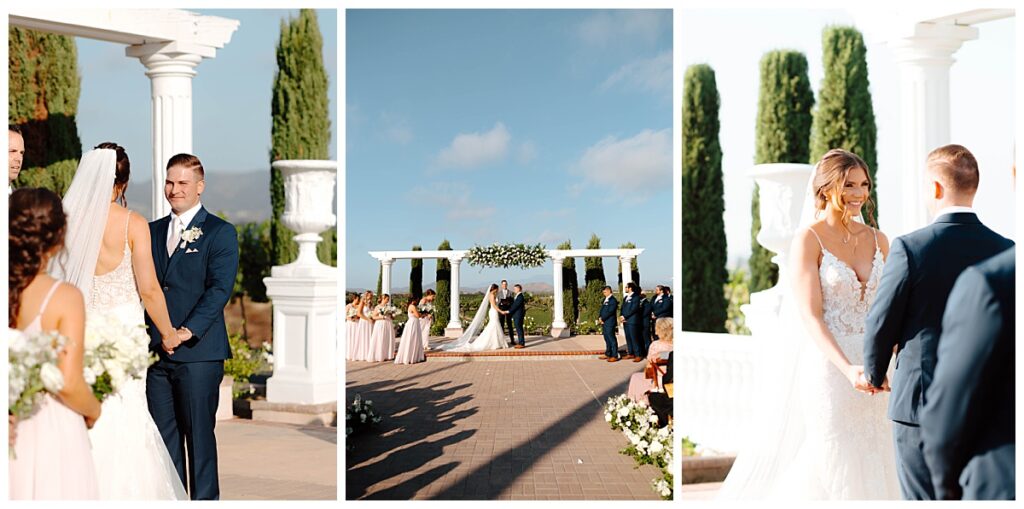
x=231 y=95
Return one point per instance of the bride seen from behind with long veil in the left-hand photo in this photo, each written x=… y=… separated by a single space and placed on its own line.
x=109 y=260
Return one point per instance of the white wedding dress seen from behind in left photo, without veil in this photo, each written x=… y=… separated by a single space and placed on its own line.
x=132 y=459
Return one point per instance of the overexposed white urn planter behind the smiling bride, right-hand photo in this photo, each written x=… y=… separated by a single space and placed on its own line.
x=783 y=188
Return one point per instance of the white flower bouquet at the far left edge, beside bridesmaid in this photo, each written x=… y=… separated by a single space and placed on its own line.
x=33 y=370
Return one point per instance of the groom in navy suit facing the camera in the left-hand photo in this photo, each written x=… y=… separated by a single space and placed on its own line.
x=197 y=257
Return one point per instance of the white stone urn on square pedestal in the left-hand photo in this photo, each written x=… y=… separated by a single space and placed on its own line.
x=305 y=293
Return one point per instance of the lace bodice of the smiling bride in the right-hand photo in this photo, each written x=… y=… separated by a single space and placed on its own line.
x=844 y=308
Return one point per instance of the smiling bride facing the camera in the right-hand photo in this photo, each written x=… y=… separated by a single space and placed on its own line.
x=823 y=432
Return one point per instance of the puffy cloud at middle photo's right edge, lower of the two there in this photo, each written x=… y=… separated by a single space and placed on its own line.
x=630 y=168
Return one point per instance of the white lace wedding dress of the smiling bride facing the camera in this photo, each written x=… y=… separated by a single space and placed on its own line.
x=838 y=444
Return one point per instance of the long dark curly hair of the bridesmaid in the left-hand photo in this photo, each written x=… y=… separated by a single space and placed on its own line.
x=37 y=226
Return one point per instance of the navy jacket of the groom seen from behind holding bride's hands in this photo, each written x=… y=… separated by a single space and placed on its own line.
x=912 y=298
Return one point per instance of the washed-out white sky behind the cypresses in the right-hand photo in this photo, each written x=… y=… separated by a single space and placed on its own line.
x=982 y=91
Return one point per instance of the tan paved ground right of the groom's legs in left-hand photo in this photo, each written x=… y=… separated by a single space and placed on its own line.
x=265 y=461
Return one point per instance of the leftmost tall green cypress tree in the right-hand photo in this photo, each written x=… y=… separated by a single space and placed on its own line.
x=704 y=249
